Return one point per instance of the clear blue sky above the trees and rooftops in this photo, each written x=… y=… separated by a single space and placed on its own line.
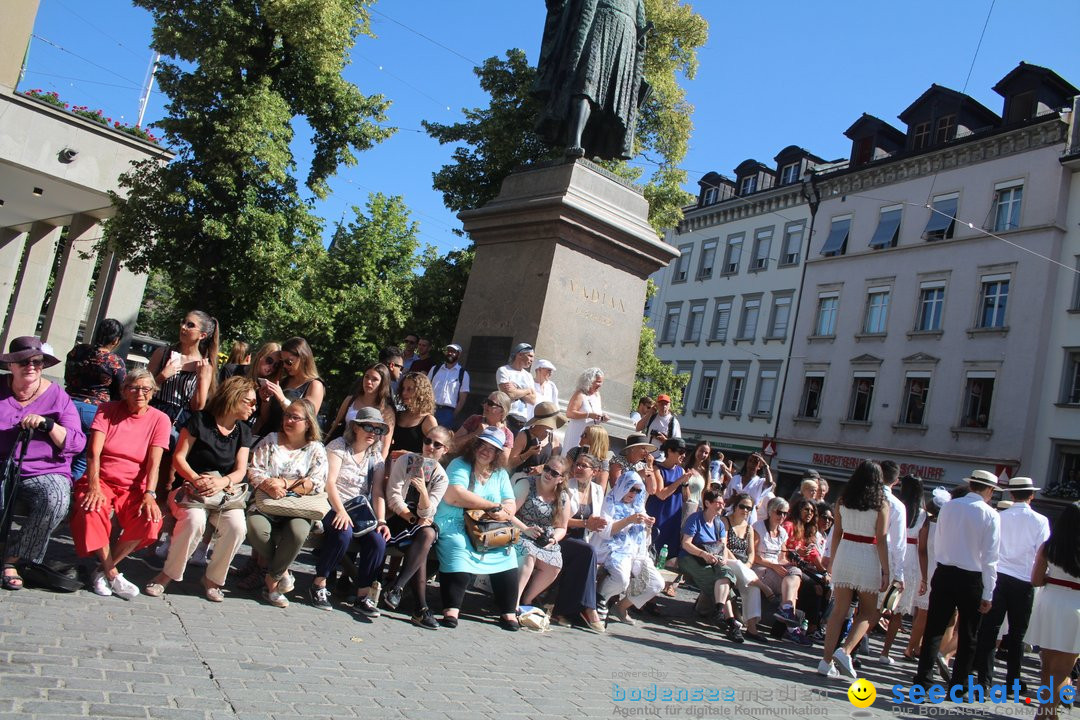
x=773 y=74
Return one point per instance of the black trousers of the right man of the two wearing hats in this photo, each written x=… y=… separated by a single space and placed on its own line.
x=1012 y=597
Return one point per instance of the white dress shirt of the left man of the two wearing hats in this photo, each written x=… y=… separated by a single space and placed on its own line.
x=968 y=537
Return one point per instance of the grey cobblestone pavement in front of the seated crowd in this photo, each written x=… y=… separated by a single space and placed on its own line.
x=181 y=657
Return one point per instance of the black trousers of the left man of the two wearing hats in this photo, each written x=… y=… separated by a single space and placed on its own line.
x=952 y=589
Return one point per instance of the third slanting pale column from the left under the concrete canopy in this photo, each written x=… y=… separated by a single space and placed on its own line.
x=71 y=290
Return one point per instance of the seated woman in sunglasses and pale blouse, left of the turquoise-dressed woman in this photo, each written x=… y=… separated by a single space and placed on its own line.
x=415 y=488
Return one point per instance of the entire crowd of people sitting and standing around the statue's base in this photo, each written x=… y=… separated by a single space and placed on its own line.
x=186 y=455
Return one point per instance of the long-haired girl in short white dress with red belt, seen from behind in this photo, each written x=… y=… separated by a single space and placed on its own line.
x=859 y=564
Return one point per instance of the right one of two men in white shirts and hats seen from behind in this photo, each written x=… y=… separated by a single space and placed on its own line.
x=1023 y=533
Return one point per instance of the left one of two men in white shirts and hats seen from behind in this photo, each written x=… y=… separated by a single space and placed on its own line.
x=966 y=545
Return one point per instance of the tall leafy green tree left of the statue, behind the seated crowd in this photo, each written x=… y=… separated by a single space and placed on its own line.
x=225 y=221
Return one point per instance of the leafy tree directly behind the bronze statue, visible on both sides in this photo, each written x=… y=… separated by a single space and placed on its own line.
x=498 y=139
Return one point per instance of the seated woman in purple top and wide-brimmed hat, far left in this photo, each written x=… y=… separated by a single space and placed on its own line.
x=29 y=401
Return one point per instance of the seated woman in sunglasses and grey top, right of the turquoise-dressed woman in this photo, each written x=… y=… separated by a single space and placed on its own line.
x=544 y=510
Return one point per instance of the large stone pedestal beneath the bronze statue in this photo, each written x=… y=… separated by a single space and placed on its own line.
x=562 y=260
